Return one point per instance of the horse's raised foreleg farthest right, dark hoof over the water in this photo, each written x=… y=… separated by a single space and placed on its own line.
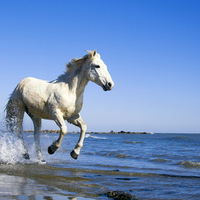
x=80 y=123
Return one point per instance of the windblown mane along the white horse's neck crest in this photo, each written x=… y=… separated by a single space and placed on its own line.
x=78 y=62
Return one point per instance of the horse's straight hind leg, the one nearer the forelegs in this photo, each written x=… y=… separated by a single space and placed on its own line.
x=37 y=130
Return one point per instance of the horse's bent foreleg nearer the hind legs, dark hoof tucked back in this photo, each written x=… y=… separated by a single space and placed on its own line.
x=58 y=118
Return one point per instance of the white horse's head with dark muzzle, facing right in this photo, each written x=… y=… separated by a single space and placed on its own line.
x=97 y=71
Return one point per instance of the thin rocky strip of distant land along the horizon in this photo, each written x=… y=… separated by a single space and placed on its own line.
x=111 y=132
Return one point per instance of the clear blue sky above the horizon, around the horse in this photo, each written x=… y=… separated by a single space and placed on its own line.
x=151 y=48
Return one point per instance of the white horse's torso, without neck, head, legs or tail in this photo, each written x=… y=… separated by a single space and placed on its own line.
x=42 y=99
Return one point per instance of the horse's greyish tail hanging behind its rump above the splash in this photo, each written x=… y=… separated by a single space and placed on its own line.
x=14 y=114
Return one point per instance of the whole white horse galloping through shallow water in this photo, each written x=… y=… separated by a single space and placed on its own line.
x=58 y=100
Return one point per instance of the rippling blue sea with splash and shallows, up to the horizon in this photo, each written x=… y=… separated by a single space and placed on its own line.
x=148 y=166
